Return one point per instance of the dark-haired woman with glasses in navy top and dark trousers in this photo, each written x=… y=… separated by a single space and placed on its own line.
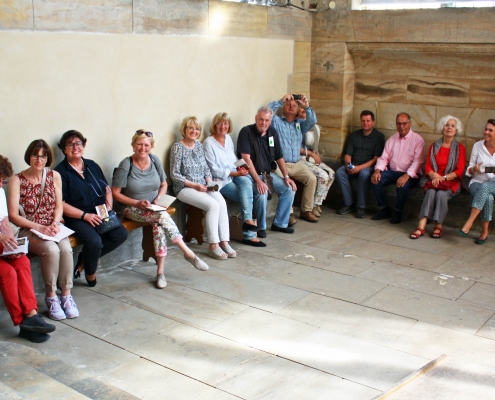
x=84 y=192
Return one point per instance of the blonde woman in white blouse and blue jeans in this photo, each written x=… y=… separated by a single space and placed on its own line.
x=236 y=185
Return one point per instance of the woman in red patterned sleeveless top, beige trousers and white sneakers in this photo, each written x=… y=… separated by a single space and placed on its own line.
x=42 y=211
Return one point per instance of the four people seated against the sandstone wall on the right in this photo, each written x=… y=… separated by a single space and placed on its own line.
x=399 y=161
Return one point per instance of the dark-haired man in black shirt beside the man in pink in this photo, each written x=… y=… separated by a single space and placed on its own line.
x=363 y=149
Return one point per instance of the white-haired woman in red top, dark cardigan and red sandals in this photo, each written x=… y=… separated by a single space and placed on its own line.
x=445 y=163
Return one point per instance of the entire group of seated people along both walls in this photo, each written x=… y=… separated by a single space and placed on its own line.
x=273 y=151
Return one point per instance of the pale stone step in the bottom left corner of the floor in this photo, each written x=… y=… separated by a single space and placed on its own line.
x=26 y=373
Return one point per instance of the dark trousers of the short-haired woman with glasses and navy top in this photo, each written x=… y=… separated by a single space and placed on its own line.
x=94 y=245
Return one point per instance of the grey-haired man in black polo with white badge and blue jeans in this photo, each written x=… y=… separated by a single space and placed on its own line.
x=262 y=139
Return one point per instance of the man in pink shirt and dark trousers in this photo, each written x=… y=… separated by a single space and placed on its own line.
x=400 y=163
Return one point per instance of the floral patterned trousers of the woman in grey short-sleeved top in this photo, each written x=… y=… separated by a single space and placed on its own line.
x=162 y=224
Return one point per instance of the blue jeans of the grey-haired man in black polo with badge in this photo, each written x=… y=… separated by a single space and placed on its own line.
x=285 y=199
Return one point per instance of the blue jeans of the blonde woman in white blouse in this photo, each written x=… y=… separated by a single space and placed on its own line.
x=241 y=190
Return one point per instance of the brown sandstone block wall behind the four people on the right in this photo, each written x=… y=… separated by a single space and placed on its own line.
x=428 y=63
